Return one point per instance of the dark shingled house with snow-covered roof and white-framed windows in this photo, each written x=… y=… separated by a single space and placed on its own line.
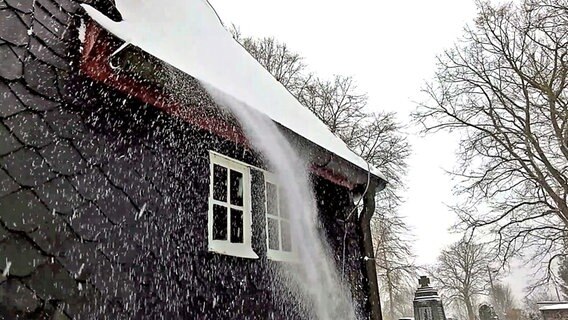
x=128 y=191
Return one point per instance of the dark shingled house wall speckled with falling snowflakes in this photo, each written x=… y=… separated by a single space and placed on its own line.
x=79 y=162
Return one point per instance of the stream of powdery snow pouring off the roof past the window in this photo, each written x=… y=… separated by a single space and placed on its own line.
x=317 y=276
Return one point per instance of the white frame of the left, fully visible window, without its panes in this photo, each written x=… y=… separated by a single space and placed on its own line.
x=226 y=247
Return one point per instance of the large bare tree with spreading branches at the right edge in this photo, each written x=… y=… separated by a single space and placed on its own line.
x=502 y=89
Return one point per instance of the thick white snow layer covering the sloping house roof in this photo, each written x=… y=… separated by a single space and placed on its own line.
x=189 y=35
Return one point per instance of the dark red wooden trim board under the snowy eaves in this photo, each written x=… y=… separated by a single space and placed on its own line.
x=98 y=47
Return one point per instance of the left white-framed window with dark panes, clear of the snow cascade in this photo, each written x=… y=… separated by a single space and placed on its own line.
x=229 y=218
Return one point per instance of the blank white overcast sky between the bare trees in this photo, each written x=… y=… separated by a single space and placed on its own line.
x=389 y=47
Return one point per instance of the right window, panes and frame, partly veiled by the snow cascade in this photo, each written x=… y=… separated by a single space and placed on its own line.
x=278 y=235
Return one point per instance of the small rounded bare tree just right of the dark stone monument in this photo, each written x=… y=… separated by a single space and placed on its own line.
x=461 y=274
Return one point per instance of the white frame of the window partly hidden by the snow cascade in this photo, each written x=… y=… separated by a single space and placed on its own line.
x=277 y=255
